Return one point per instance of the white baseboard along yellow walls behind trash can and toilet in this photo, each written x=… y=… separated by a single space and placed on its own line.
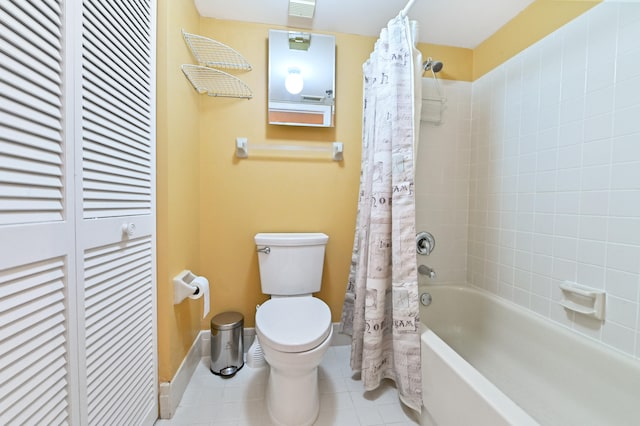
x=171 y=392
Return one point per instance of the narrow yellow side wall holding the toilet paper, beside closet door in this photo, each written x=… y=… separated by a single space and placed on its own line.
x=178 y=195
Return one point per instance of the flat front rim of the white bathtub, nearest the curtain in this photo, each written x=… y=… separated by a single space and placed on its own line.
x=502 y=405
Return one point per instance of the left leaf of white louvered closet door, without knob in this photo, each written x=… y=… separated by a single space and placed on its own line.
x=37 y=268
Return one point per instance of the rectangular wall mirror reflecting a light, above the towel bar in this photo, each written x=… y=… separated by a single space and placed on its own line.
x=301 y=79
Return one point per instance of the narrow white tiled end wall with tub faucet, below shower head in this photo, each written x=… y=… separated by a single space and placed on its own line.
x=442 y=178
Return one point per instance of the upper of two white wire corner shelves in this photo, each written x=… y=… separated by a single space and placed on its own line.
x=212 y=53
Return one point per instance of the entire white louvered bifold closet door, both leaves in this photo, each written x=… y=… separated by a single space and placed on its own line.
x=77 y=294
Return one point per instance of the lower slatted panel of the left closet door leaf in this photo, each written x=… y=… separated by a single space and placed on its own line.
x=33 y=347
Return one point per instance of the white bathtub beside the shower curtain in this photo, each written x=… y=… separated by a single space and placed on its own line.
x=486 y=361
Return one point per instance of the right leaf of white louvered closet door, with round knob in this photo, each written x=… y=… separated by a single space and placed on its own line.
x=116 y=217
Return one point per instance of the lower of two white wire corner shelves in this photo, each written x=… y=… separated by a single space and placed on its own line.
x=215 y=82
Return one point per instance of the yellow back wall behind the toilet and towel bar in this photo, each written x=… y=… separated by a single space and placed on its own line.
x=241 y=197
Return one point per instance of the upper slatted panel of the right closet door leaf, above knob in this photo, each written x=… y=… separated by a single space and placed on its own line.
x=116 y=105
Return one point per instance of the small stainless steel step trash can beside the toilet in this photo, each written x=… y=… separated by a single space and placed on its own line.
x=227 y=346
